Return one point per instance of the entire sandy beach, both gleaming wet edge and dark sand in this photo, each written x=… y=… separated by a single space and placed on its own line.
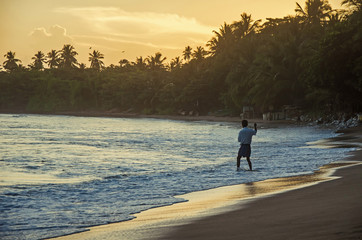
x=324 y=205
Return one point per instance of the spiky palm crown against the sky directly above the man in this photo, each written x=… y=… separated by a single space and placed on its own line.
x=245 y=26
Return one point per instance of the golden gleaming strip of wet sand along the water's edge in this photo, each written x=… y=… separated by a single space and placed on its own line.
x=167 y=222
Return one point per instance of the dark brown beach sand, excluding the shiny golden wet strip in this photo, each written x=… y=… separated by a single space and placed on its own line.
x=328 y=210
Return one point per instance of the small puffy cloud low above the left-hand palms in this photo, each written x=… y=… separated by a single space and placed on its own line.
x=55 y=37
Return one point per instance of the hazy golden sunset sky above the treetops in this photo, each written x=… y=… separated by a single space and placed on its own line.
x=123 y=28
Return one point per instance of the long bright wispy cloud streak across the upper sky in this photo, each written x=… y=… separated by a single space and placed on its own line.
x=111 y=20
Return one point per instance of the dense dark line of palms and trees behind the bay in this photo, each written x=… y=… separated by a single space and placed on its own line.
x=312 y=60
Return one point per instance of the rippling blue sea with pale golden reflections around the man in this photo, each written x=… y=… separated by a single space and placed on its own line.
x=60 y=174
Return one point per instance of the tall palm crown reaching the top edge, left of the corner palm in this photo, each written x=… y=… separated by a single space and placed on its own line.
x=314 y=12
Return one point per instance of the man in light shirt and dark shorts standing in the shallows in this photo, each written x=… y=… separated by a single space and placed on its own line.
x=245 y=136
